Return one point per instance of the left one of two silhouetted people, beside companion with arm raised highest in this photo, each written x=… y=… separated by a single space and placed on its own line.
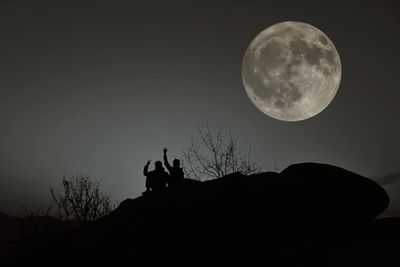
x=157 y=179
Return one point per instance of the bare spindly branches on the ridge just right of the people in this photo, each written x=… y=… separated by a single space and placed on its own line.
x=215 y=155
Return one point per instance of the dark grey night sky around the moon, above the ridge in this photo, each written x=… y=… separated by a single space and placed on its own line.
x=100 y=87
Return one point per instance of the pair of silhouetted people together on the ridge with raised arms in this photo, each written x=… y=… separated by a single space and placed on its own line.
x=158 y=179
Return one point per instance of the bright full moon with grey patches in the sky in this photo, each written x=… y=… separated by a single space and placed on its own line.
x=291 y=71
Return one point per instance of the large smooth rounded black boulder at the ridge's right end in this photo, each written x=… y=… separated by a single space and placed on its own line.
x=332 y=193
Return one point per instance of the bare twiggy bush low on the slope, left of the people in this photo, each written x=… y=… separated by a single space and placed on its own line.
x=81 y=198
